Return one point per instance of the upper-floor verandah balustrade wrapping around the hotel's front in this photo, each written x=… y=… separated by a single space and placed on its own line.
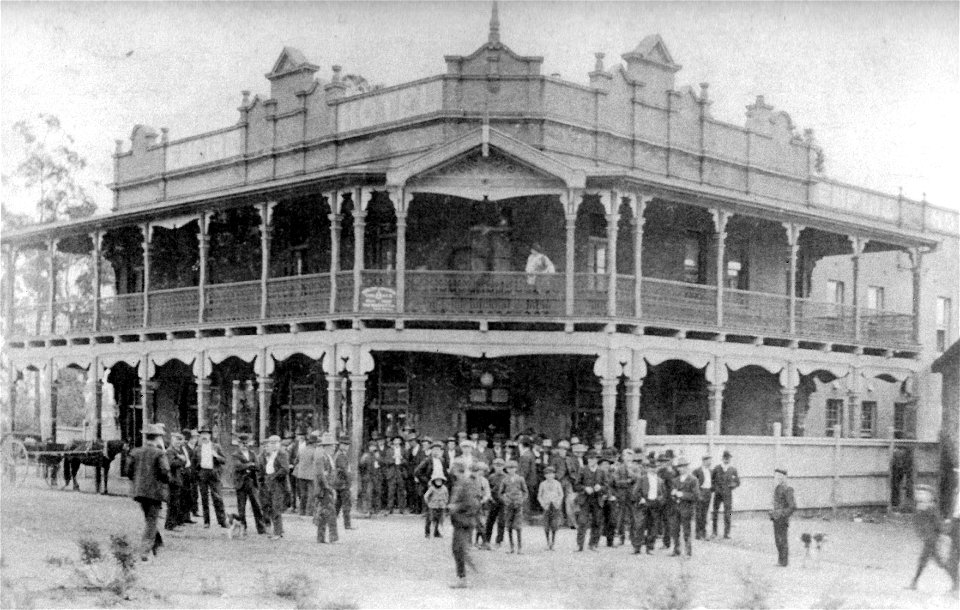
x=470 y=293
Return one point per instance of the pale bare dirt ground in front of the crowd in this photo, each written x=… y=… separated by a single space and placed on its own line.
x=387 y=562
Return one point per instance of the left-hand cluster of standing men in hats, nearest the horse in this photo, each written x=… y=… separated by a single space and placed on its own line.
x=186 y=475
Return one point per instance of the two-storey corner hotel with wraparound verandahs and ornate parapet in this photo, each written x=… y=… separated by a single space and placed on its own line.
x=361 y=261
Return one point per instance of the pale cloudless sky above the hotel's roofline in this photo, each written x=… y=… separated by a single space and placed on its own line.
x=878 y=82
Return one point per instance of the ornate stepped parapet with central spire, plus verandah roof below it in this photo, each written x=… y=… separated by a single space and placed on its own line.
x=630 y=122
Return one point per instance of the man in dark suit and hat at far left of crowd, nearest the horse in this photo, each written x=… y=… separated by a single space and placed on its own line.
x=148 y=467
